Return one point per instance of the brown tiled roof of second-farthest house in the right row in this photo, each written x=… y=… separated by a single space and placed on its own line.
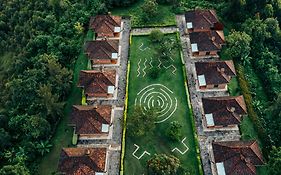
x=207 y=41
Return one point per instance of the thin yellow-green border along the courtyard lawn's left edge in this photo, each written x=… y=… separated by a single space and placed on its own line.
x=125 y=121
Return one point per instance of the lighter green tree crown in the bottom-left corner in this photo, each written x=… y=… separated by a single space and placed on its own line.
x=17 y=169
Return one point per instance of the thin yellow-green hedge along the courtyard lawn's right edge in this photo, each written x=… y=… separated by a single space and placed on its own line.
x=192 y=122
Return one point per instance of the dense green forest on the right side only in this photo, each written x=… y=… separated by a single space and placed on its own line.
x=255 y=45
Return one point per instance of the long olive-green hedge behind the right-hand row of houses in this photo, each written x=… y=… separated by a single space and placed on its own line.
x=245 y=88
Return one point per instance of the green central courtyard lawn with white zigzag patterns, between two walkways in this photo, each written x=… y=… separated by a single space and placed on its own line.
x=157 y=142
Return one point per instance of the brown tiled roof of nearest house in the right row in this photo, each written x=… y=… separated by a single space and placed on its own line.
x=238 y=157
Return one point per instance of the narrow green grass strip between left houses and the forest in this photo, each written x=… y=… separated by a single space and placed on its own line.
x=63 y=134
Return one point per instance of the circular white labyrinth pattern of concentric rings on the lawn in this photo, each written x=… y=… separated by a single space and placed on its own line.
x=160 y=98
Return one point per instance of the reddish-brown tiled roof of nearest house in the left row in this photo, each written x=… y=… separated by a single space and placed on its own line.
x=82 y=161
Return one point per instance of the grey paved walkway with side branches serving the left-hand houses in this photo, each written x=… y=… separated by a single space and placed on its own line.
x=114 y=143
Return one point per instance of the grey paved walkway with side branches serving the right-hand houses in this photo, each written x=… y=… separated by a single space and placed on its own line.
x=205 y=138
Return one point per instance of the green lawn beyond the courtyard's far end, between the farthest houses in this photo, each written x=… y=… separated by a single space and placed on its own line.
x=165 y=16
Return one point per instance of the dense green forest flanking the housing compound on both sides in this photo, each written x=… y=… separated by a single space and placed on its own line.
x=40 y=41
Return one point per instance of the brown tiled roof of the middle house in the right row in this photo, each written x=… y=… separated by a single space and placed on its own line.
x=216 y=72
